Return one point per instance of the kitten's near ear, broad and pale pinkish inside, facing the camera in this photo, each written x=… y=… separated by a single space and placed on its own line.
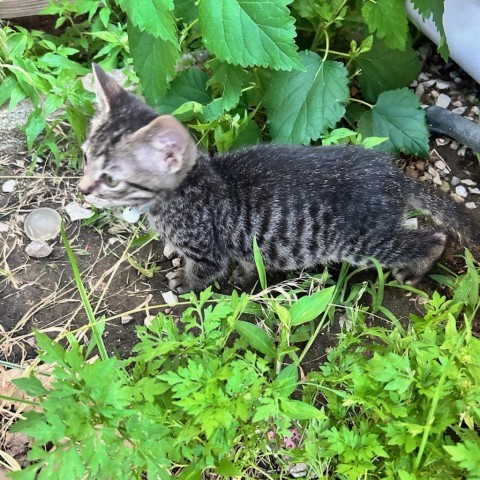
x=167 y=142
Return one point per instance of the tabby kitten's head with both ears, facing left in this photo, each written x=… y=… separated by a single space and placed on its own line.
x=131 y=153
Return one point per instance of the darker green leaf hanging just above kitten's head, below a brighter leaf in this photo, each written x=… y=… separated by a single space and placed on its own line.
x=154 y=60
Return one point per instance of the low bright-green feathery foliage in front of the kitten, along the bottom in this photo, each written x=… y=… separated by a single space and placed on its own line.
x=222 y=395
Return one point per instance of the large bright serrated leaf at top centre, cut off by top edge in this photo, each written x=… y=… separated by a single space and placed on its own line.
x=249 y=33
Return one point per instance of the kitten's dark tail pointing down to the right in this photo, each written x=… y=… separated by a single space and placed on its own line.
x=443 y=211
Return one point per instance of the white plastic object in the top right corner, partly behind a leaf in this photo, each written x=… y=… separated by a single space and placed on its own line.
x=461 y=21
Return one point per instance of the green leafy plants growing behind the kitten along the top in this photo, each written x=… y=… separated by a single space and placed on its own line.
x=236 y=71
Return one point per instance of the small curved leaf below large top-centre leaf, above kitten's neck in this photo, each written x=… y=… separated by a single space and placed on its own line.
x=230 y=78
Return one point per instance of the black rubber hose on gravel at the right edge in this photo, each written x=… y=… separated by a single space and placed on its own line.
x=460 y=128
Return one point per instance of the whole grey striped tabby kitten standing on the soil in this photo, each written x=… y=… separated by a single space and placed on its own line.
x=305 y=205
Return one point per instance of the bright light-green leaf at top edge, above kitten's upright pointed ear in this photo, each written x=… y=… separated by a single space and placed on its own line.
x=154 y=17
